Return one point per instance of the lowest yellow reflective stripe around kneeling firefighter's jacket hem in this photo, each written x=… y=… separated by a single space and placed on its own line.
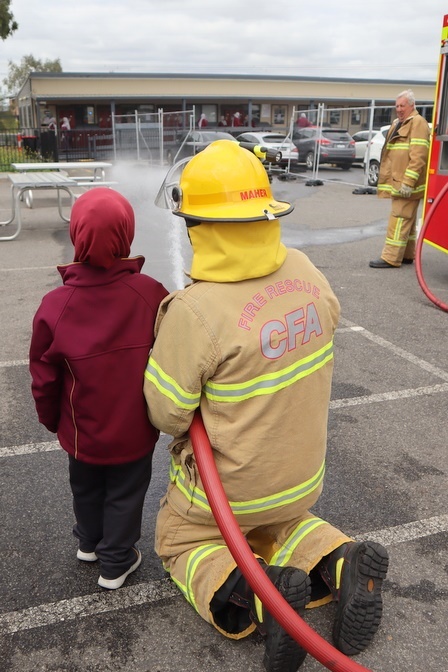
x=198 y=497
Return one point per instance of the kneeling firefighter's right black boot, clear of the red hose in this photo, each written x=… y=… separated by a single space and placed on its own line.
x=354 y=573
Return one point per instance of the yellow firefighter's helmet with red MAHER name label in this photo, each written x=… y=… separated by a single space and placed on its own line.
x=226 y=183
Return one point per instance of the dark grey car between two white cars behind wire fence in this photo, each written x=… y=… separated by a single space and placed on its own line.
x=334 y=145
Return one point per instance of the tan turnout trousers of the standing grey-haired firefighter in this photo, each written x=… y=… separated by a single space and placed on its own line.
x=401 y=235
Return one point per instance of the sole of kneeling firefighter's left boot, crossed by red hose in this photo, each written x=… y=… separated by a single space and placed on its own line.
x=282 y=652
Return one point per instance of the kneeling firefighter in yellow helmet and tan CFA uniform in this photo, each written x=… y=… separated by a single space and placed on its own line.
x=250 y=343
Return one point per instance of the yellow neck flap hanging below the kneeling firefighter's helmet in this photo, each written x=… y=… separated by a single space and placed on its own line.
x=234 y=251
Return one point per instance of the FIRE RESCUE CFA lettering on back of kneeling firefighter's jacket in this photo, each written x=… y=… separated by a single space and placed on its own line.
x=303 y=321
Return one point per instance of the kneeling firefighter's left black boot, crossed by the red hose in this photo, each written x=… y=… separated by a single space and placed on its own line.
x=282 y=652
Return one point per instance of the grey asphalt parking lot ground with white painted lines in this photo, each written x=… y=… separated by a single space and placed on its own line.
x=386 y=472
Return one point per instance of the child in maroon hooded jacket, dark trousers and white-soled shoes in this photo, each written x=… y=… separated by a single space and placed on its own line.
x=89 y=348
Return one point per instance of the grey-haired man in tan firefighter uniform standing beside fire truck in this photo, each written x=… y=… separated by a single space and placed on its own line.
x=402 y=178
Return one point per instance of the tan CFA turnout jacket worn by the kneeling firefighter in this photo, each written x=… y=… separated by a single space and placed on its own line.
x=256 y=356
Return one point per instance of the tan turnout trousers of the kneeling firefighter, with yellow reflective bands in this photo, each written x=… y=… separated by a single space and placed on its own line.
x=196 y=556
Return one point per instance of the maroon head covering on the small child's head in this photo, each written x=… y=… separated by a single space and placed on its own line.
x=102 y=225
